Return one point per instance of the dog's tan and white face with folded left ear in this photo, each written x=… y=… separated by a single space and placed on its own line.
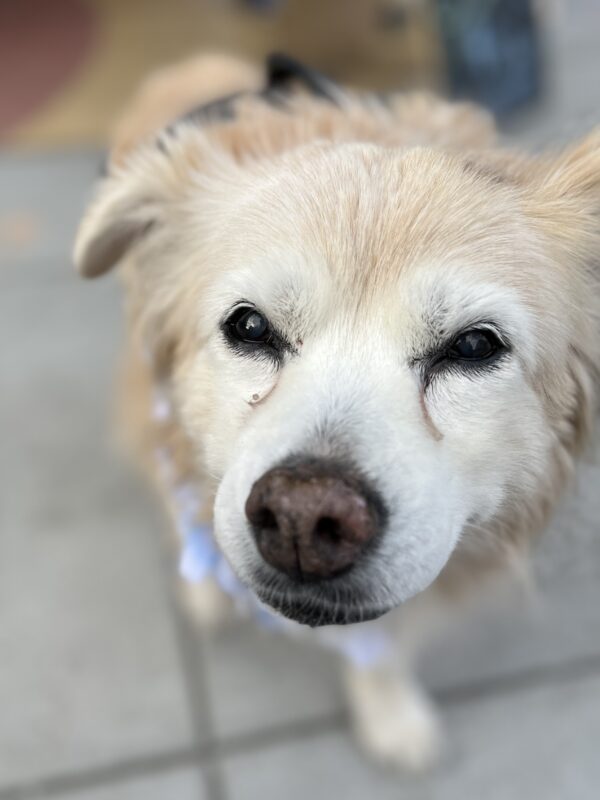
x=380 y=355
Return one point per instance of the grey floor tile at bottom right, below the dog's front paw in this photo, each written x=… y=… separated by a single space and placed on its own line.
x=539 y=744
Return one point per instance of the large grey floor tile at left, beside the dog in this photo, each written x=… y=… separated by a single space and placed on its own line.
x=90 y=671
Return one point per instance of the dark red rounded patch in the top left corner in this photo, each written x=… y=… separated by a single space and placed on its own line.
x=42 y=44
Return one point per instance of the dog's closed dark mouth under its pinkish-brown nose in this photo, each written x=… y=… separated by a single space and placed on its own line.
x=317 y=606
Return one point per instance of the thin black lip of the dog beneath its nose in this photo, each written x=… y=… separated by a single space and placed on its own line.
x=318 y=612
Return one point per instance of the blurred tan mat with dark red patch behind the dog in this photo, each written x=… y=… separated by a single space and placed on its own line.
x=69 y=66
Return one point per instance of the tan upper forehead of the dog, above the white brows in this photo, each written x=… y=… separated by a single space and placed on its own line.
x=369 y=216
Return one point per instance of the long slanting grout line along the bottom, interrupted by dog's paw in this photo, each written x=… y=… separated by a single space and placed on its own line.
x=206 y=754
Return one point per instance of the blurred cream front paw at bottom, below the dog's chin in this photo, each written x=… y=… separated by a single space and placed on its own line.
x=395 y=723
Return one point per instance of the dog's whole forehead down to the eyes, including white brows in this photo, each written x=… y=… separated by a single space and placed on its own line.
x=410 y=242
